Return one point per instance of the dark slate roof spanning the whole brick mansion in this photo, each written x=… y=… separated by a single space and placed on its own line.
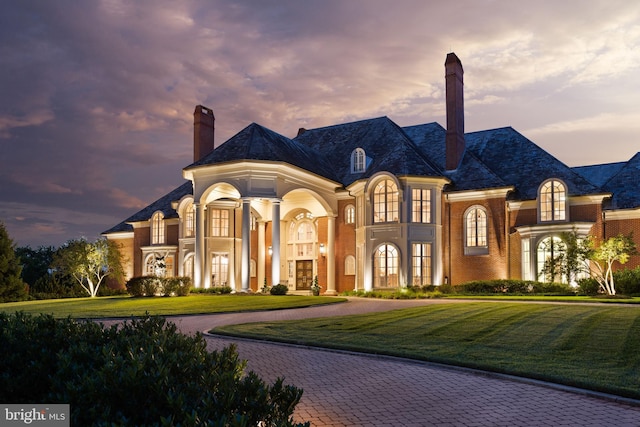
x=496 y=158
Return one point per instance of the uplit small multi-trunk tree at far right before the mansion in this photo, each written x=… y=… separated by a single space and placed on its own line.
x=618 y=248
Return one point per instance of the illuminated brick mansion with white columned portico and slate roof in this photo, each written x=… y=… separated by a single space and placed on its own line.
x=372 y=205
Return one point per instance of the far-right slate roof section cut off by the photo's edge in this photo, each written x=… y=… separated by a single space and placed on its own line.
x=625 y=185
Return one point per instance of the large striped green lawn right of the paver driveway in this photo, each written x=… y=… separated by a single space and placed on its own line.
x=592 y=347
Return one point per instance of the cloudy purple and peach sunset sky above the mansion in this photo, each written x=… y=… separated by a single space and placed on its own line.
x=97 y=97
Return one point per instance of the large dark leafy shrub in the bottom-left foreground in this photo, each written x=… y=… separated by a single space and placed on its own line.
x=142 y=372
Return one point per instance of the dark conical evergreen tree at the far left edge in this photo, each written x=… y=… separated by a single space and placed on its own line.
x=12 y=287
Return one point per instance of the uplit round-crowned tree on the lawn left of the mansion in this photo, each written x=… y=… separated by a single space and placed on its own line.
x=89 y=263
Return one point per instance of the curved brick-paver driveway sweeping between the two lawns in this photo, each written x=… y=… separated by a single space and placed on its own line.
x=349 y=389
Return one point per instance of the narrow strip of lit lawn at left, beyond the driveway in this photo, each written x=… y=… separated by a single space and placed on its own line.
x=125 y=306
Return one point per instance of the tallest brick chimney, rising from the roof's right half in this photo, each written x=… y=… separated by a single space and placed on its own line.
x=455 y=111
